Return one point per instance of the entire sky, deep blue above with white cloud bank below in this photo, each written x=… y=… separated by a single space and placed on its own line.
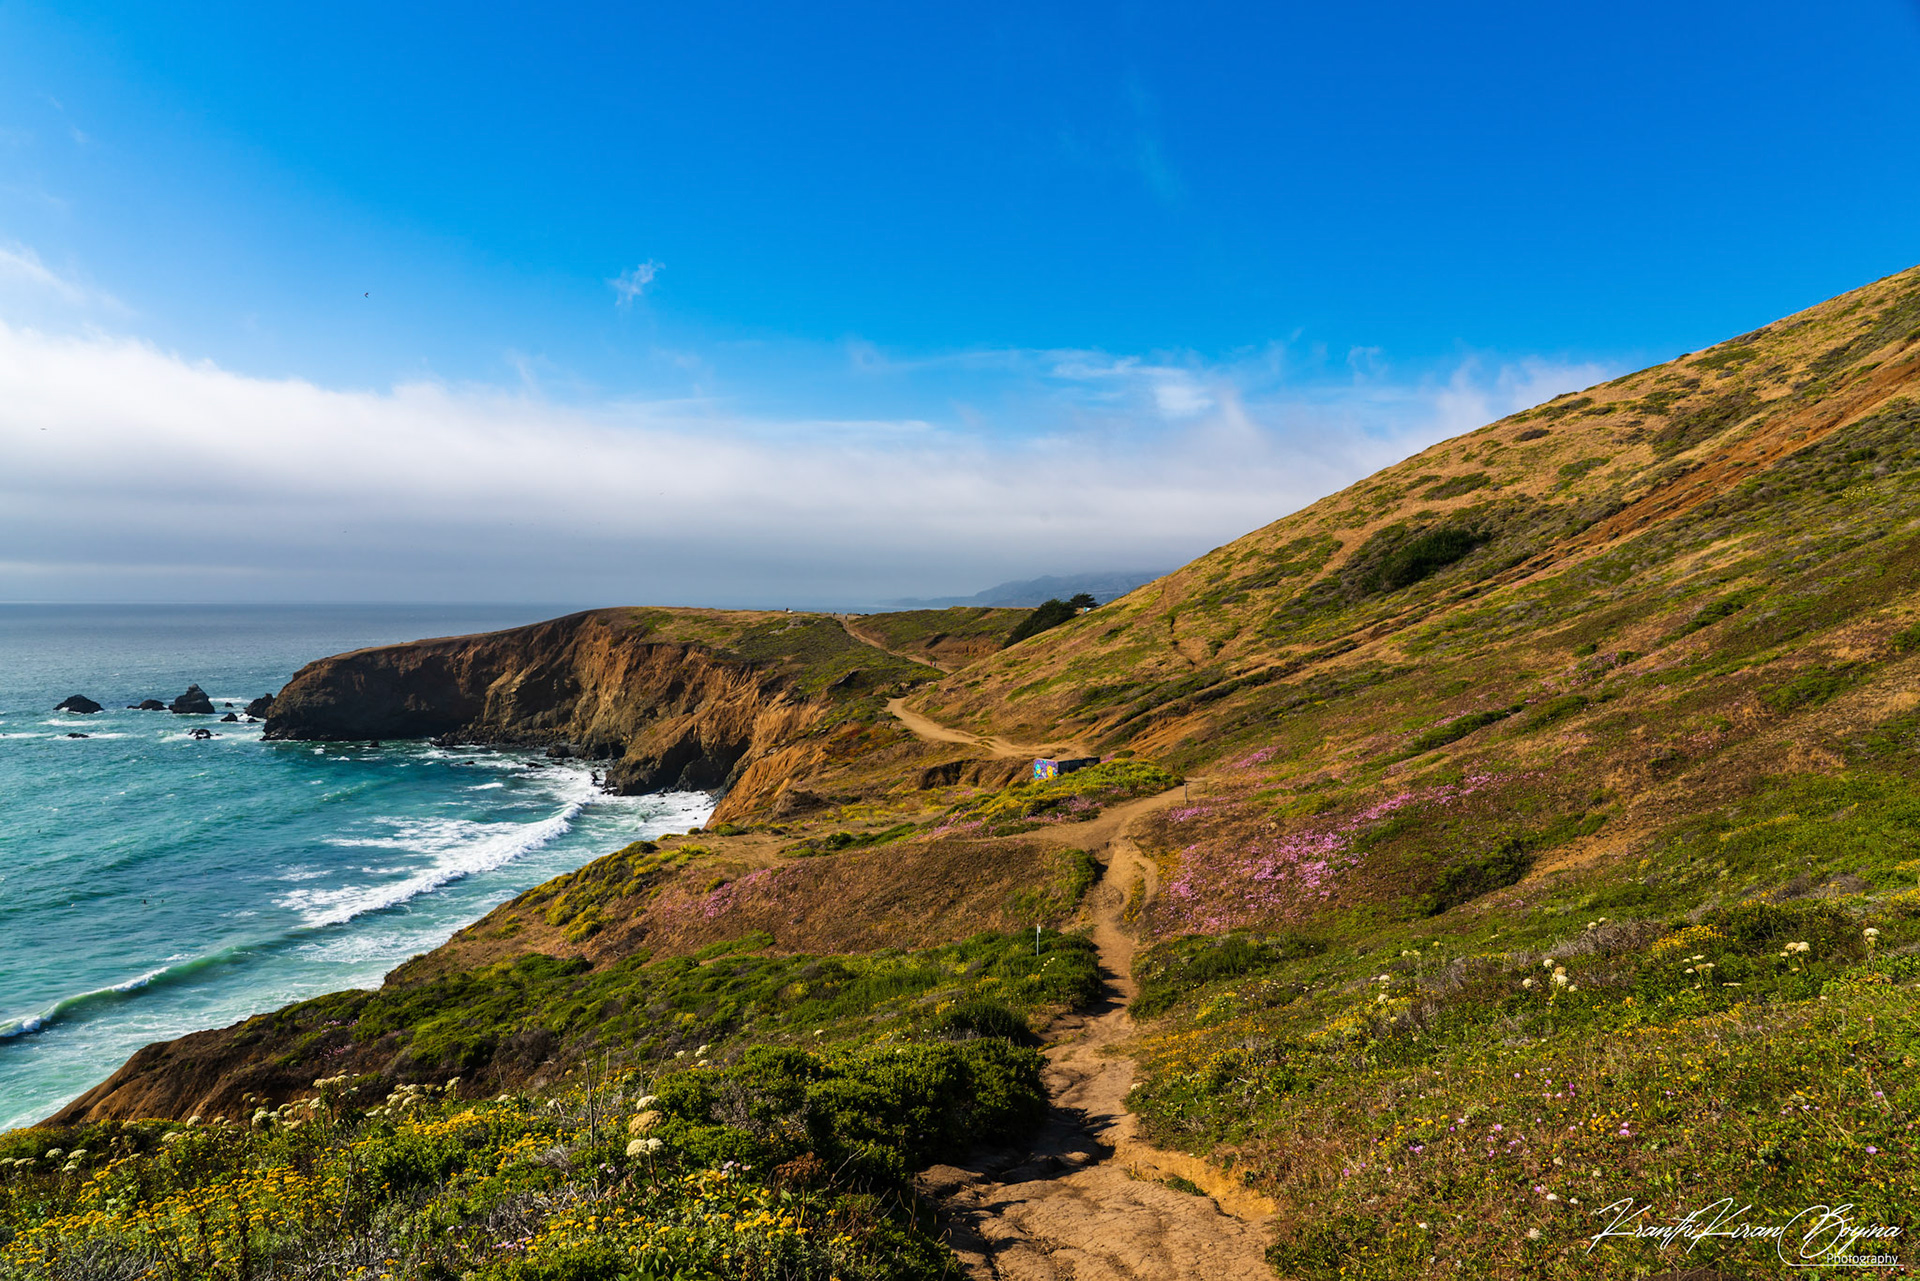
x=813 y=304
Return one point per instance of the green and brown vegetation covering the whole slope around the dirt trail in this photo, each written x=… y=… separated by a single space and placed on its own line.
x=1531 y=829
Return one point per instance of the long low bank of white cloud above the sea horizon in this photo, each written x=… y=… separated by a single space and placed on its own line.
x=135 y=473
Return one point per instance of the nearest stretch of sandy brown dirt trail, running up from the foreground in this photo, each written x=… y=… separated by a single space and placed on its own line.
x=1086 y=1199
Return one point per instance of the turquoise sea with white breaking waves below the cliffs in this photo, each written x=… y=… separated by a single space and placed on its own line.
x=153 y=884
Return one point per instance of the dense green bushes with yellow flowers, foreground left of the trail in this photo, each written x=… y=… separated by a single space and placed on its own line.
x=784 y=1167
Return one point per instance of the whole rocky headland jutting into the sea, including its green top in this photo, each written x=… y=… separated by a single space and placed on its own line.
x=696 y=700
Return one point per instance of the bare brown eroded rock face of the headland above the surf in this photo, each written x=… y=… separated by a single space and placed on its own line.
x=661 y=713
